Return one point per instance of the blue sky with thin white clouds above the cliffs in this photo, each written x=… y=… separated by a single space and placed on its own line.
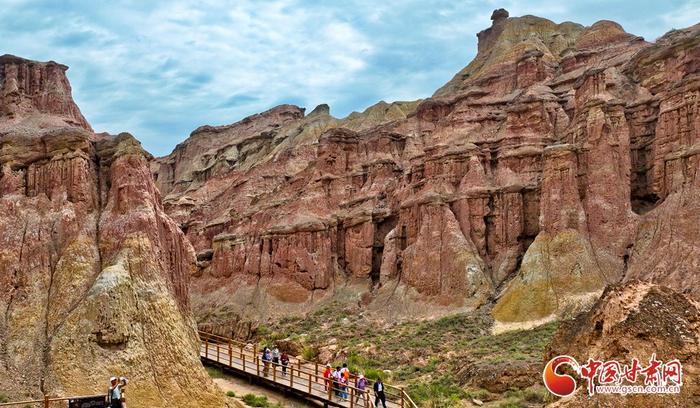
x=160 y=69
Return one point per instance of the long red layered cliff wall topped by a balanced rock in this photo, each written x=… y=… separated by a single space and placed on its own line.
x=545 y=170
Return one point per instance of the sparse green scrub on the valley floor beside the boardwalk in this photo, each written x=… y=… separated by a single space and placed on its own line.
x=427 y=356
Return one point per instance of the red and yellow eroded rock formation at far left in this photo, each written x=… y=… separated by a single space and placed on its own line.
x=95 y=273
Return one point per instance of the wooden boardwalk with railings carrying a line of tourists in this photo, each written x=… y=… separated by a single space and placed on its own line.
x=302 y=378
